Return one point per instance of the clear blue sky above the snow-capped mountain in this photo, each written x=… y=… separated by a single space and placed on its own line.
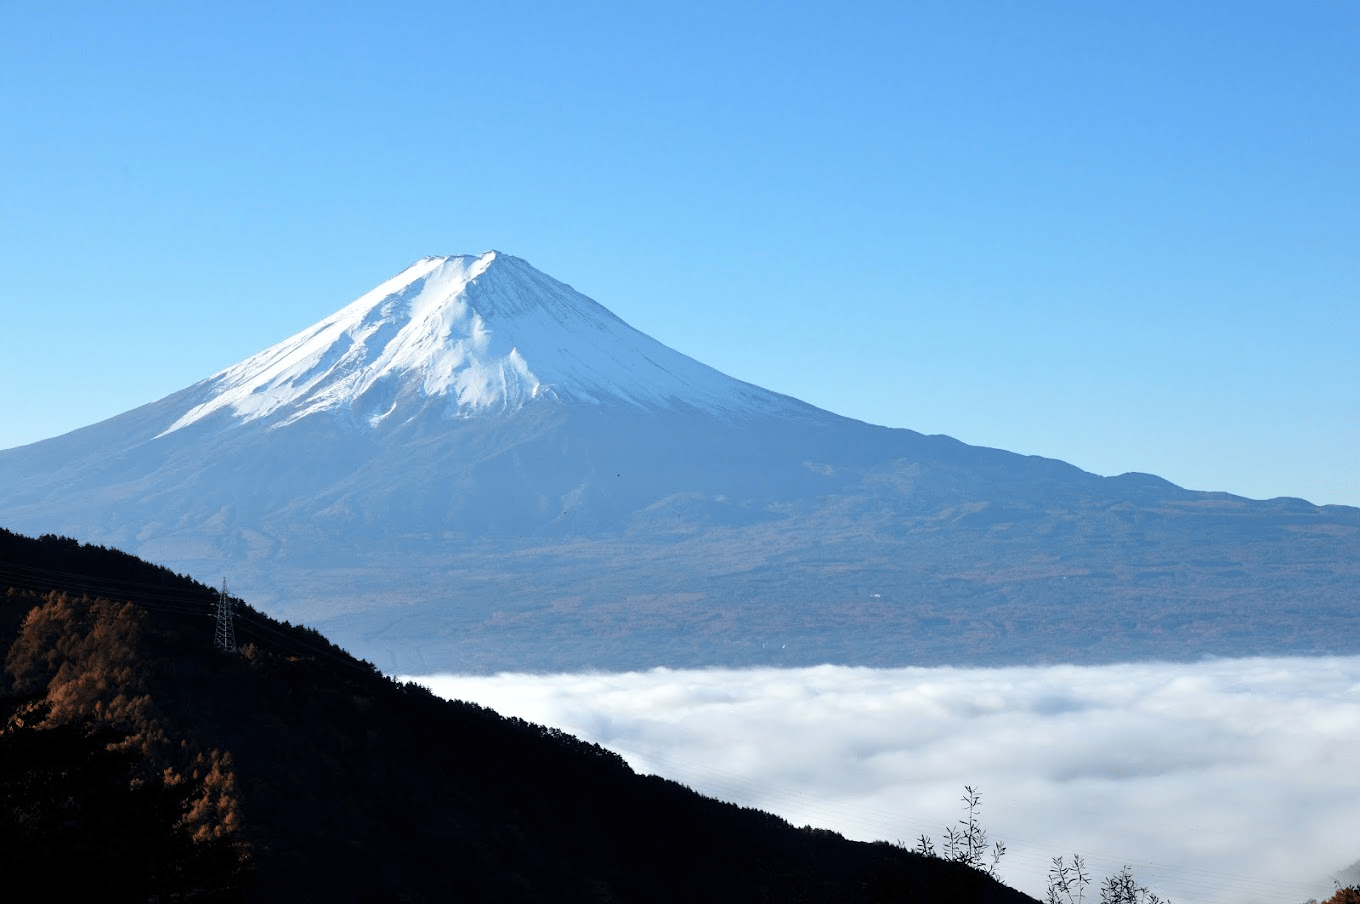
x=1124 y=236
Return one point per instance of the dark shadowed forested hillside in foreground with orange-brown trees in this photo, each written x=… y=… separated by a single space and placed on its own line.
x=139 y=763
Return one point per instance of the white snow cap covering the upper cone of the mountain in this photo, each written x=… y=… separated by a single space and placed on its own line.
x=474 y=336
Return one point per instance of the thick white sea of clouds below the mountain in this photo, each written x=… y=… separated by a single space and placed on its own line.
x=1229 y=781
